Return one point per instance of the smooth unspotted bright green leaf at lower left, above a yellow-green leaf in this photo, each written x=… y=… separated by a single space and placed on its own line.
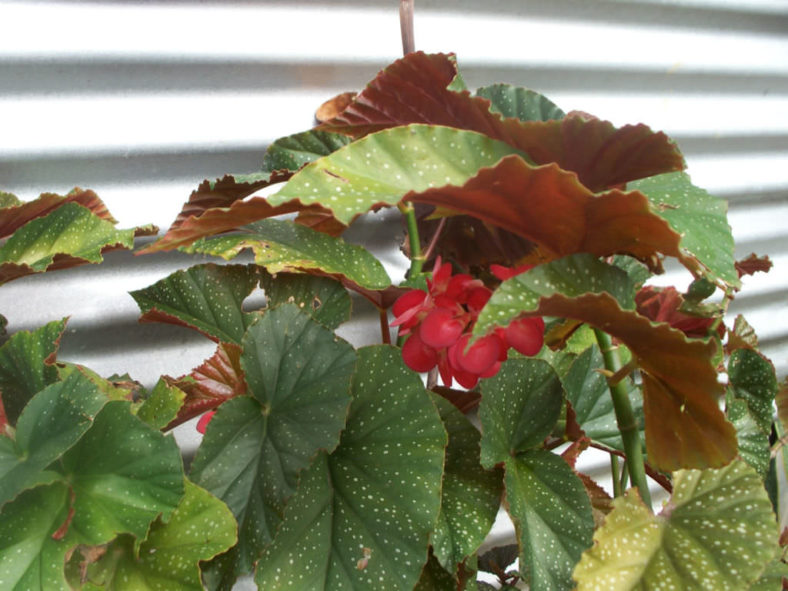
x=124 y=474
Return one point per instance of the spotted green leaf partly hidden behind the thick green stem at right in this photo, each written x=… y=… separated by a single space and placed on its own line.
x=589 y=394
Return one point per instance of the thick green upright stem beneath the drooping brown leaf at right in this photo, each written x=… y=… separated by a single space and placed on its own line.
x=625 y=417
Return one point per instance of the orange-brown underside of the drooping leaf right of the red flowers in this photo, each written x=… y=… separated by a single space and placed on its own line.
x=685 y=427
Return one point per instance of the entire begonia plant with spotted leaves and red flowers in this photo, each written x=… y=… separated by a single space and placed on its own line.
x=324 y=466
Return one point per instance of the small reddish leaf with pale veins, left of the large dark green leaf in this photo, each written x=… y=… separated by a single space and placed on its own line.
x=219 y=378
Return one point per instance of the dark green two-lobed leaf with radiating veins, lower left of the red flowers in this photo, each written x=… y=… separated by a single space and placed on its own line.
x=298 y=373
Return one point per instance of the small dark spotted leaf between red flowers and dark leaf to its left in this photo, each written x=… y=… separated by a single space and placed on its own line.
x=322 y=298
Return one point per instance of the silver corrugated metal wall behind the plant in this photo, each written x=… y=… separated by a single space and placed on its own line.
x=140 y=100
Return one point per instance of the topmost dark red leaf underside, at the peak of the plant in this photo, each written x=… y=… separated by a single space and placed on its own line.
x=414 y=90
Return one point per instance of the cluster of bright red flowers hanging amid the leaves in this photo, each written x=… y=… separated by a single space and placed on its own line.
x=439 y=324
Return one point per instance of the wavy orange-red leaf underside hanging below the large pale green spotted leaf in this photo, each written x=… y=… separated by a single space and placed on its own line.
x=549 y=207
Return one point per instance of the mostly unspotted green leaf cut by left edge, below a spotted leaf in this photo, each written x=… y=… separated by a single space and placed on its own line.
x=52 y=422
